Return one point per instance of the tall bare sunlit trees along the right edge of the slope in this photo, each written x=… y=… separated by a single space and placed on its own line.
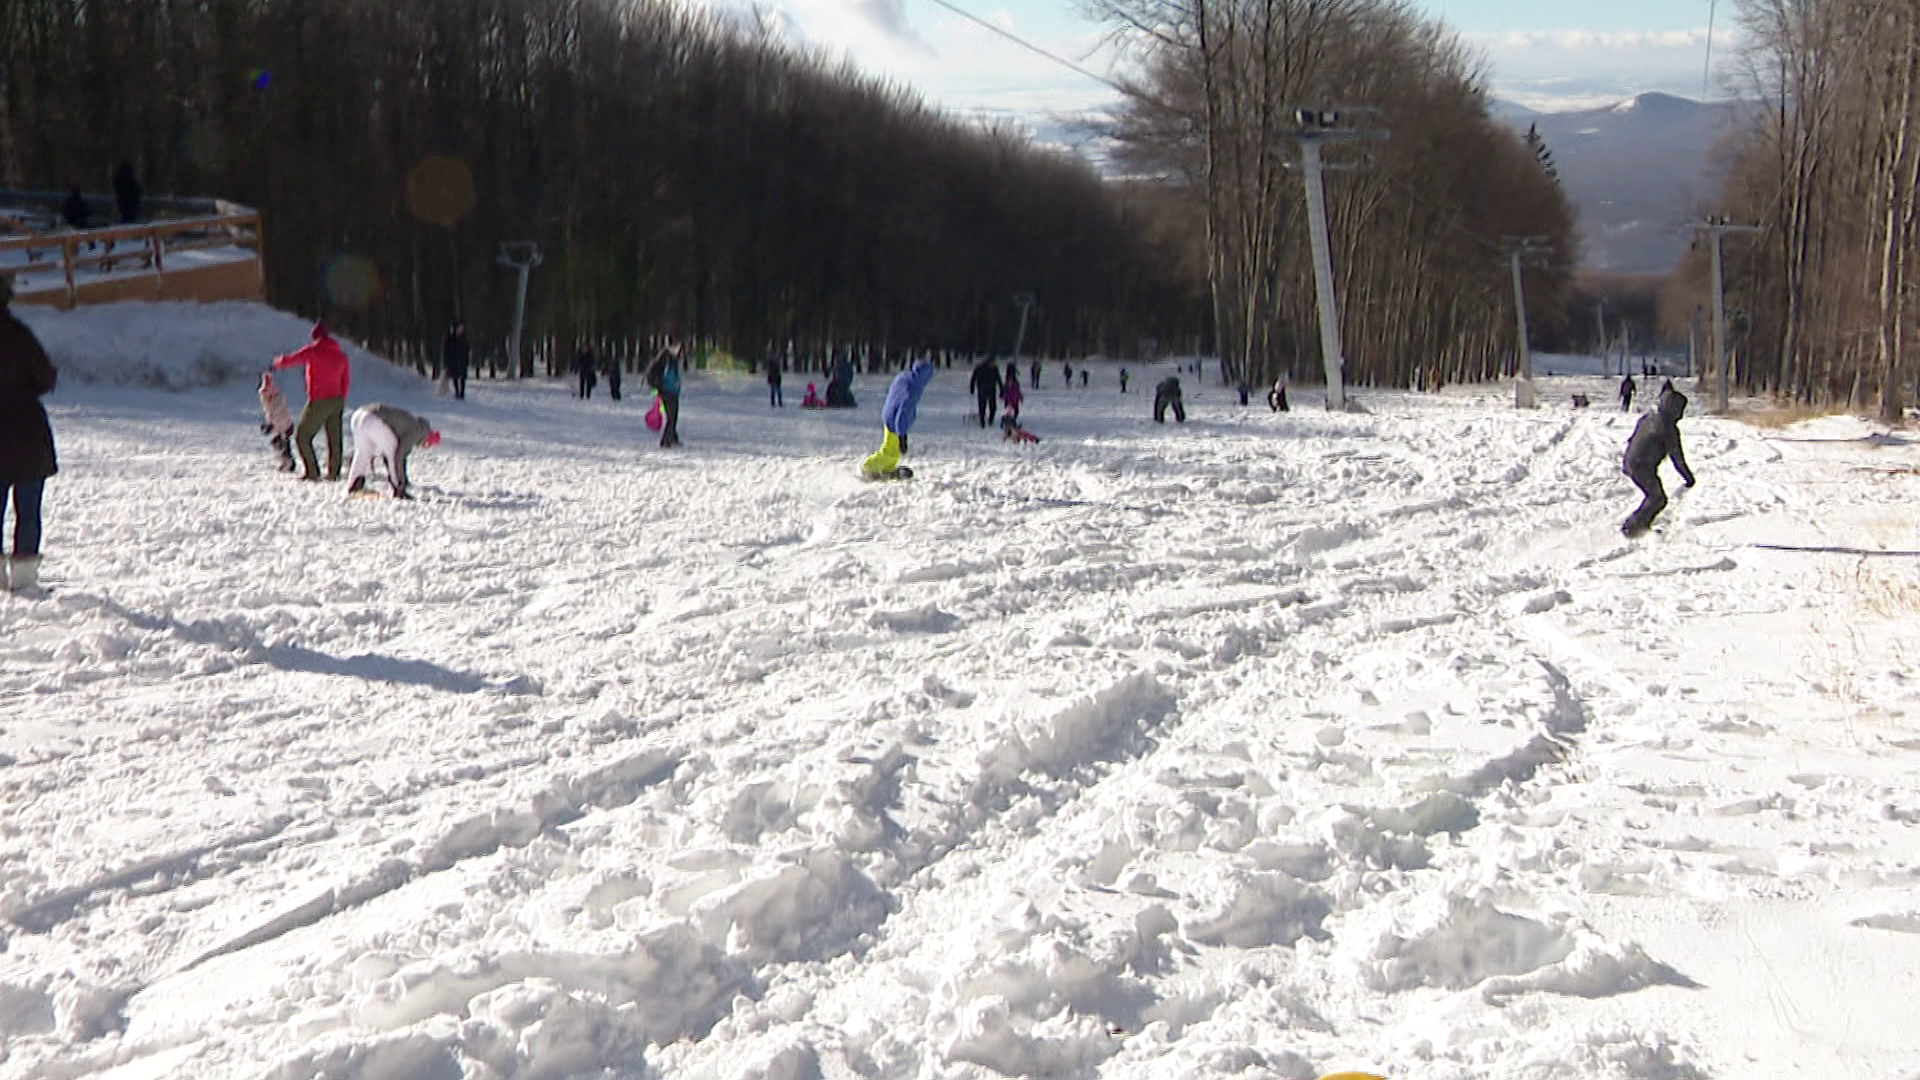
x=1823 y=297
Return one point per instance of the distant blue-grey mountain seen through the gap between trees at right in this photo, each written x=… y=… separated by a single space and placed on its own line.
x=1637 y=172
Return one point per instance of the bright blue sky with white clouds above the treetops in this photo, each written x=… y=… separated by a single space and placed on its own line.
x=1543 y=55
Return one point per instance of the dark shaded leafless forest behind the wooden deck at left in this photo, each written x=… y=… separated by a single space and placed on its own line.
x=679 y=172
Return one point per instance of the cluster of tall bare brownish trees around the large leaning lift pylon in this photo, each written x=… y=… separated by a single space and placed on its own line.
x=1420 y=222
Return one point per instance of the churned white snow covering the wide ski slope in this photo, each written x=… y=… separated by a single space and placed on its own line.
x=1259 y=747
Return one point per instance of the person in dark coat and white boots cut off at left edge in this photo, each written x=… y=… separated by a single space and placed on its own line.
x=26 y=441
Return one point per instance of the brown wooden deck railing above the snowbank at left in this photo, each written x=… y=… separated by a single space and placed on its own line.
x=135 y=262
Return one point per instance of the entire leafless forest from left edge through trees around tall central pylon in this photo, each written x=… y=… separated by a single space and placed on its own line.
x=690 y=176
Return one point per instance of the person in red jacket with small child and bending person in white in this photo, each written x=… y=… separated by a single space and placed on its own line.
x=381 y=433
